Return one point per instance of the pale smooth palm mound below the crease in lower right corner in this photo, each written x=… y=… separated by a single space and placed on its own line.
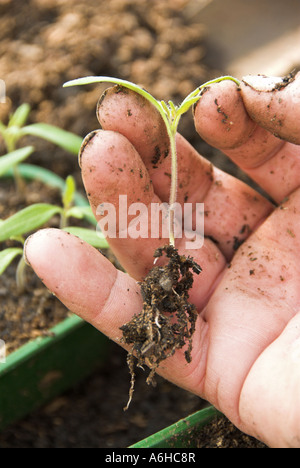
x=269 y=400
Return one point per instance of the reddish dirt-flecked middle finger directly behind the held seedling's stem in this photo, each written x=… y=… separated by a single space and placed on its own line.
x=232 y=208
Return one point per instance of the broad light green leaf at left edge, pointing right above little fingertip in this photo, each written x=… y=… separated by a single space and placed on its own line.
x=27 y=220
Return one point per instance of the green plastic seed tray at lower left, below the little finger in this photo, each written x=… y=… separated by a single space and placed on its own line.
x=43 y=368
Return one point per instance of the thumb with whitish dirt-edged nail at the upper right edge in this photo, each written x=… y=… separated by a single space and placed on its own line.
x=274 y=104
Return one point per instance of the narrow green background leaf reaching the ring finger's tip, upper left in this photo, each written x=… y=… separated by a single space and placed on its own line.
x=66 y=140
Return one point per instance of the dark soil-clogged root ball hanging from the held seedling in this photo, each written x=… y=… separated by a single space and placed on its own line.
x=167 y=320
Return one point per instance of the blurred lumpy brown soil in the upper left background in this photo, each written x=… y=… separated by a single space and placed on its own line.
x=44 y=43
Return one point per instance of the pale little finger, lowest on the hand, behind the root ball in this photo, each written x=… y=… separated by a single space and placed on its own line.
x=90 y=286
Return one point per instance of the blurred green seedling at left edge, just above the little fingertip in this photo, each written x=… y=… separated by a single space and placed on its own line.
x=33 y=217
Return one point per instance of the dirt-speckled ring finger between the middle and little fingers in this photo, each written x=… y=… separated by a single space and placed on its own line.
x=104 y=155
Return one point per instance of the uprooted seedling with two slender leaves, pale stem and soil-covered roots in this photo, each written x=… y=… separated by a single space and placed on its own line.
x=153 y=334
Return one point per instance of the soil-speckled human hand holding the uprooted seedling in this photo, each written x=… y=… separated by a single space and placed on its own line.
x=246 y=347
